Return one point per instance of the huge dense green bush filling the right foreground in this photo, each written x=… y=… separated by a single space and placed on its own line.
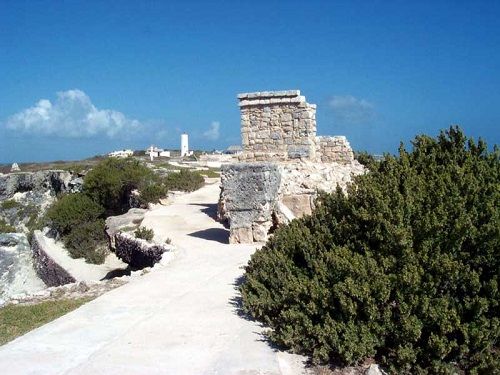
x=403 y=269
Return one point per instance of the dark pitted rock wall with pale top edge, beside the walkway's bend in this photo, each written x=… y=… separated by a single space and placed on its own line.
x=136 y=252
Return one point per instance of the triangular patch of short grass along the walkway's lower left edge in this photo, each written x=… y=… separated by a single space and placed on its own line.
x=16 y=320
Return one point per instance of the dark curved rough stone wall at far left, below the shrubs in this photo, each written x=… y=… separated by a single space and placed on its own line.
x=46 y=267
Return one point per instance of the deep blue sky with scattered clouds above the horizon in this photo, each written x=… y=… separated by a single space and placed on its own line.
x=82 y=78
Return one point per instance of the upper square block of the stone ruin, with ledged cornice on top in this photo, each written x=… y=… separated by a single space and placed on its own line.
x=277 y=126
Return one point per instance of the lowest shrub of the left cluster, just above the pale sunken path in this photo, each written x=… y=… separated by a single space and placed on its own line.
x=87 y=240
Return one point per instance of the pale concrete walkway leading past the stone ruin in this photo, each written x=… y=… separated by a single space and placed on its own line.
x=179 y=319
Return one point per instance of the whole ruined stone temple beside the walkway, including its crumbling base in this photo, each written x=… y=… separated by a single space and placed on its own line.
x=283 y=165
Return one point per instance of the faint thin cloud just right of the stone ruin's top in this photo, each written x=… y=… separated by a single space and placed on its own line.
x=350 y=110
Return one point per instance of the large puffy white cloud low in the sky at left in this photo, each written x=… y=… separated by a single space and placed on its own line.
x=72 y=115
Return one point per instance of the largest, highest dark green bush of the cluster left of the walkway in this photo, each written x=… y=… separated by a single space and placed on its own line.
x=111 y=182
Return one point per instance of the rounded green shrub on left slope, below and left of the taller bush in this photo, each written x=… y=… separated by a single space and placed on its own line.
x=71 y=211
